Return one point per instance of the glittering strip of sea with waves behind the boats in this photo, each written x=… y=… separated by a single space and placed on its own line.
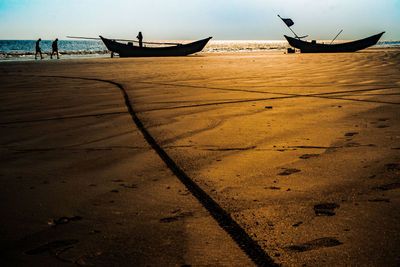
x=69 y=49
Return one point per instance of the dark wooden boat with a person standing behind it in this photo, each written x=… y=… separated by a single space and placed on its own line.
x=129 y=50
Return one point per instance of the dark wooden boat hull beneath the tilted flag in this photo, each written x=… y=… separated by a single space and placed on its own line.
x=313 y=47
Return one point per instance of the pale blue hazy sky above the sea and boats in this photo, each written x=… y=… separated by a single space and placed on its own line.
x=197 y=19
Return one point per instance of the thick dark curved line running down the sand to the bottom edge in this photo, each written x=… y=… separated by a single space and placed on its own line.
x=223 y=218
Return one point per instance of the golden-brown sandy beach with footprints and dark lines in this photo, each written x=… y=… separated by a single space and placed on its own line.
x=231 y=159
